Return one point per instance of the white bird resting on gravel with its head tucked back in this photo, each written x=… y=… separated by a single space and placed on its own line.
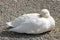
x=33 y=23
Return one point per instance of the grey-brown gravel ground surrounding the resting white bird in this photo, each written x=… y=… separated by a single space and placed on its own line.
x=10 y=9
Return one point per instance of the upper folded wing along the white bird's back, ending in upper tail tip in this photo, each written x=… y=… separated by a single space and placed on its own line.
x=21 y=19
